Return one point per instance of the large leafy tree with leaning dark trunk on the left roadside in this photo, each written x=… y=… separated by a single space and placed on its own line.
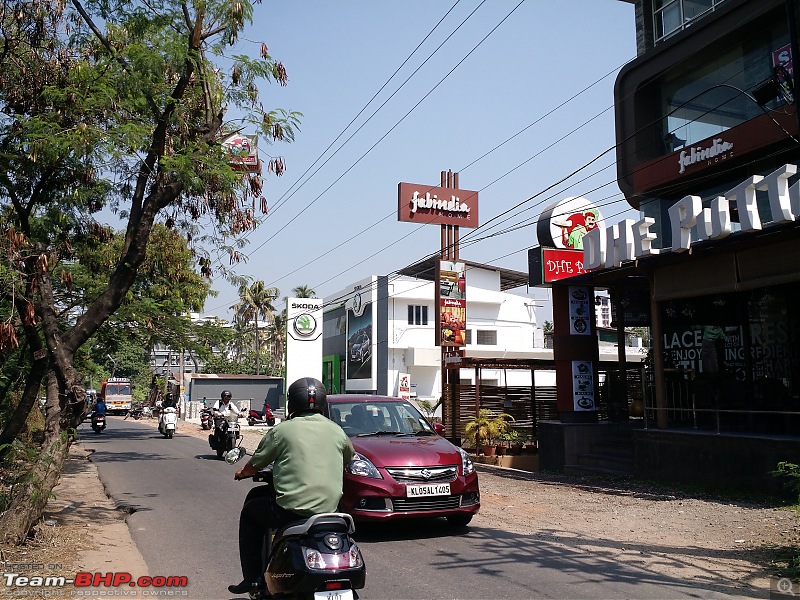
x=116 y=105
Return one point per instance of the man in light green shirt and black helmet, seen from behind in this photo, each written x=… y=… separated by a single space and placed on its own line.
x=308 y=453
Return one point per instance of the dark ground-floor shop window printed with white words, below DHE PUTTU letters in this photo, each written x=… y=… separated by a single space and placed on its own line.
x=732 y=361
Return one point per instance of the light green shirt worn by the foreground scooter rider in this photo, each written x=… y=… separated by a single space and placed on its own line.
x=309 y=452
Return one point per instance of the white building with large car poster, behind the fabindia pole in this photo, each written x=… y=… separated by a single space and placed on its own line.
x=396 y=314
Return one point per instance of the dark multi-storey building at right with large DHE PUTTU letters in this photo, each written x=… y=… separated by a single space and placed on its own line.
x=708 y=153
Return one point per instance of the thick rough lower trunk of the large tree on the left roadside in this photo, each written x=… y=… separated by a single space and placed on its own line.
x=30 y=495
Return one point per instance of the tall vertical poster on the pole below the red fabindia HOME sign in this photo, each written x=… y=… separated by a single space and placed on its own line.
x=451 y=300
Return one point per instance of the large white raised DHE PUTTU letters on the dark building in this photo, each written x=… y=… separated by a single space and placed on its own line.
x=631 y=240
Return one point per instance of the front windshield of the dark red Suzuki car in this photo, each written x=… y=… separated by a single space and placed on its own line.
x=379 y=418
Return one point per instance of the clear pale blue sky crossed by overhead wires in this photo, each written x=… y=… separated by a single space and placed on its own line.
x=514 y=96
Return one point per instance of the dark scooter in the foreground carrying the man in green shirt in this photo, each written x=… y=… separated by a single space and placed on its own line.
x=314 y=559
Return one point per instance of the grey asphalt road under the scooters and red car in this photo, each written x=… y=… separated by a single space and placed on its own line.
x=185 y=508
